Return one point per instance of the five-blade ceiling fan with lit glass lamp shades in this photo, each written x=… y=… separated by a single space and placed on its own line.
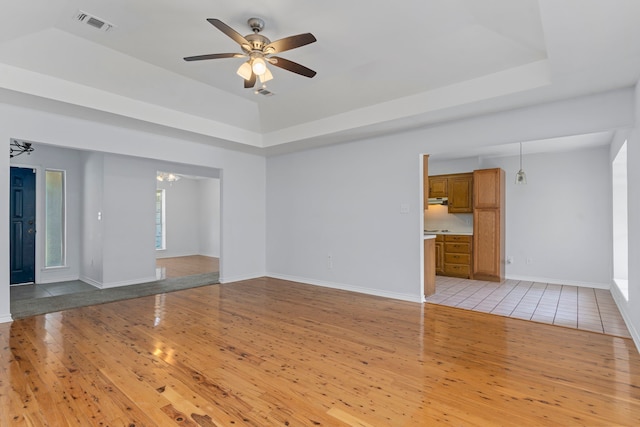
x=260 y=50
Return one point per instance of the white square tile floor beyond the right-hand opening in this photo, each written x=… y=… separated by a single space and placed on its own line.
x=563 y=305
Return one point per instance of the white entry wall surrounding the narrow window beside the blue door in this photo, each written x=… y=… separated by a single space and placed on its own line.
x=47 y=157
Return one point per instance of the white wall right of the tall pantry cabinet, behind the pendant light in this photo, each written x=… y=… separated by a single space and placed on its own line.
x=560 y=220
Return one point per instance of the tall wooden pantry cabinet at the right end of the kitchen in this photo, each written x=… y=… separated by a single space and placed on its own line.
x=488 y=224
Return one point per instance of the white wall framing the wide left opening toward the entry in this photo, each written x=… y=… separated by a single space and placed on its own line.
x=242 y=182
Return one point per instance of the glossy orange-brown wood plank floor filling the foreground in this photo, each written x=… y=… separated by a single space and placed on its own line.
x=268 y=352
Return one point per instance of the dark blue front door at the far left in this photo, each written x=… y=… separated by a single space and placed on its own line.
x=23 y=225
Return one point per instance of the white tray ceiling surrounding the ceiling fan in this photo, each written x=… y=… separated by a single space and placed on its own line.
x=386 y=67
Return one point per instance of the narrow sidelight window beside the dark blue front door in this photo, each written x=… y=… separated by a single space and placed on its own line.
x=55 y=219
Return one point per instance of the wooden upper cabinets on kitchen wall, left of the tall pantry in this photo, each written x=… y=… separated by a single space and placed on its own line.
x=458 y=188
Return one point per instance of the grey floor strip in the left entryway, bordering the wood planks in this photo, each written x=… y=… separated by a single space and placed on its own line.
x=31 y=307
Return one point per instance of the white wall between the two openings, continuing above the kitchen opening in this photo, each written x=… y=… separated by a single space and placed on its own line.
x=344 y=200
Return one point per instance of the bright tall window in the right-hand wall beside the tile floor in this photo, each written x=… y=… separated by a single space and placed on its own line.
x=620 y=224
